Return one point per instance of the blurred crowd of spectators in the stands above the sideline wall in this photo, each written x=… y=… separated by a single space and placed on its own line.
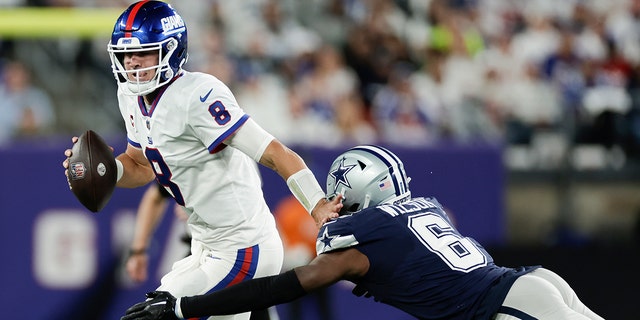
x=414 y=73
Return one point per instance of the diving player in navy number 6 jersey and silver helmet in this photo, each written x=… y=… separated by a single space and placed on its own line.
x=402 y=251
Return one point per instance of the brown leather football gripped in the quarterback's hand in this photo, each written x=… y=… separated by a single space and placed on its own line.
x=92 y=171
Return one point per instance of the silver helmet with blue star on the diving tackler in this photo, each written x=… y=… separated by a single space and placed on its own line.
x=367 y=176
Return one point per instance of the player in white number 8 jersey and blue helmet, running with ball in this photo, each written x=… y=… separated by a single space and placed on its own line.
x=186 y=130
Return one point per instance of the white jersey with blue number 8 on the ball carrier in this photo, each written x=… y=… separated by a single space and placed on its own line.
x=182 y=135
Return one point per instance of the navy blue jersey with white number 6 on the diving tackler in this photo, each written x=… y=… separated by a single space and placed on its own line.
x=419 y=262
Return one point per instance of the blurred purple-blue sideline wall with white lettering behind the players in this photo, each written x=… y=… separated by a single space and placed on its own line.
x=64 y=262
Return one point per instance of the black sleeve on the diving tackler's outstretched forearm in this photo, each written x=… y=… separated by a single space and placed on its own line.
x=250 y=295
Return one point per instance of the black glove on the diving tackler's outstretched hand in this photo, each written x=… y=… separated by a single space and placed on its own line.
x=160 y=305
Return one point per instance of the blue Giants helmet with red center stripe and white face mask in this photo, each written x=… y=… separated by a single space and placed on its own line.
x=147 y=26
